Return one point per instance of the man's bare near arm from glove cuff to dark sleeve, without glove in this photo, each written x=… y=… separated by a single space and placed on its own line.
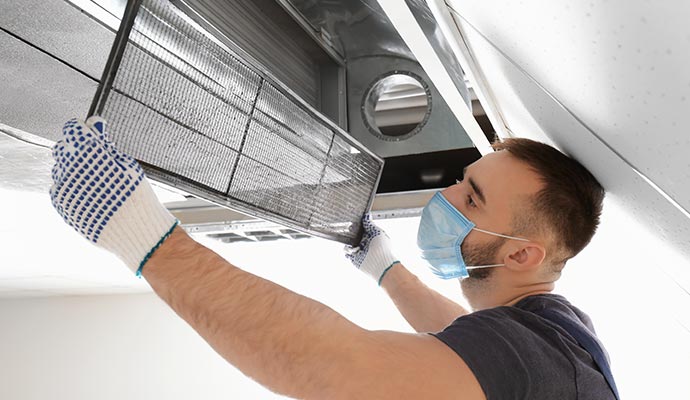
x=294 y=345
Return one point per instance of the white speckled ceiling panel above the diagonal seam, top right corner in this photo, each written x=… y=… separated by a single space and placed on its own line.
x=621 y=67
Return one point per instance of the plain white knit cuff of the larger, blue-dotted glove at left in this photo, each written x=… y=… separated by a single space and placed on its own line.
x=138 y=228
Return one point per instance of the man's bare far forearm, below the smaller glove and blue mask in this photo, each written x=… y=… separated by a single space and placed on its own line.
x=424 y=308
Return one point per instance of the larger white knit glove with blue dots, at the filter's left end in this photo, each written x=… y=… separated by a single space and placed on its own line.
x=103 y=194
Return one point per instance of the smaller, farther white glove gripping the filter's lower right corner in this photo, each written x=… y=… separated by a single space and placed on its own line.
x=373 y=255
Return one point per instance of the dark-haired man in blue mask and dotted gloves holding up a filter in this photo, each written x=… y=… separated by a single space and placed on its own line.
x=531 y=208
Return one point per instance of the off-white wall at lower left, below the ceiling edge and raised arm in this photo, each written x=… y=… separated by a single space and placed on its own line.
x=109 y=347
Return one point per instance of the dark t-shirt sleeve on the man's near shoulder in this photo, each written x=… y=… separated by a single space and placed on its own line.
x=510 y=354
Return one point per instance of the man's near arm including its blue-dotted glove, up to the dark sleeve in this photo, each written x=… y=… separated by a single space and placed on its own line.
x=289 y=343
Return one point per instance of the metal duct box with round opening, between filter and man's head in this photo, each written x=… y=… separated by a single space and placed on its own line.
x=393 y=108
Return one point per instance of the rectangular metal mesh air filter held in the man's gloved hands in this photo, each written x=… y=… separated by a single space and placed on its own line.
x=201 y=118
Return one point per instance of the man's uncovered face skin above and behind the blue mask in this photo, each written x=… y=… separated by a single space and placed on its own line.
x=493 y=189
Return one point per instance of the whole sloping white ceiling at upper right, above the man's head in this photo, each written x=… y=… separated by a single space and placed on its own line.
x=608 y=82
